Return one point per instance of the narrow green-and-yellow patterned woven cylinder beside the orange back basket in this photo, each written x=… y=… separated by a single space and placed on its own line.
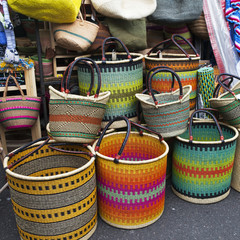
x=206 y=84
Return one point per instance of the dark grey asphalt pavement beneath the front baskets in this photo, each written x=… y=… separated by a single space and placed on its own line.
x=181 y=220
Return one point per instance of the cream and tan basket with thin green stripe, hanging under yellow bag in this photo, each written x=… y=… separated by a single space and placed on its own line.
x=78 y=35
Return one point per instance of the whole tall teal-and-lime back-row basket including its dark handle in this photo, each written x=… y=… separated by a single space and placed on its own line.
x=122 y=75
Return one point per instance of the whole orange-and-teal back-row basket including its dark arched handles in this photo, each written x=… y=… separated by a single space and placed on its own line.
x=185 y=65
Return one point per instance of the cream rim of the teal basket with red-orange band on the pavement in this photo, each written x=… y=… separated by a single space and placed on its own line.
x=211 y=142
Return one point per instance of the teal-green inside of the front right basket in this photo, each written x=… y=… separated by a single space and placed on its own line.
x=207 y=132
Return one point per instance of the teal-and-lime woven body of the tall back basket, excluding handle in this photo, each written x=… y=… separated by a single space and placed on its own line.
x=123 y=80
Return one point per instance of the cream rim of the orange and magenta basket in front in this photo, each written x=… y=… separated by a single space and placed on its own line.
x=132 y=162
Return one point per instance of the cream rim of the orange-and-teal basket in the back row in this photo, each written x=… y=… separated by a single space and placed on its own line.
x=176 y=57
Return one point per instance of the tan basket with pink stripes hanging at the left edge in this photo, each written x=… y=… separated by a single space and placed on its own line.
x=18 y=111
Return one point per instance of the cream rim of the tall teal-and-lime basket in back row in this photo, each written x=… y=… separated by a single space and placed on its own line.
x=139 y=57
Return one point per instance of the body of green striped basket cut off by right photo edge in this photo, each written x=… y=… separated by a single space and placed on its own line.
x=228 y=107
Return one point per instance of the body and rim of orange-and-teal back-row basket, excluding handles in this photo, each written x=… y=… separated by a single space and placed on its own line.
x=186 y=70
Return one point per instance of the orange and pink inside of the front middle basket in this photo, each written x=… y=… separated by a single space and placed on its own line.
x=138 y=148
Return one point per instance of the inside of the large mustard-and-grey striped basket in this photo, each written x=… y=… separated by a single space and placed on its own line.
x=49 y=162
